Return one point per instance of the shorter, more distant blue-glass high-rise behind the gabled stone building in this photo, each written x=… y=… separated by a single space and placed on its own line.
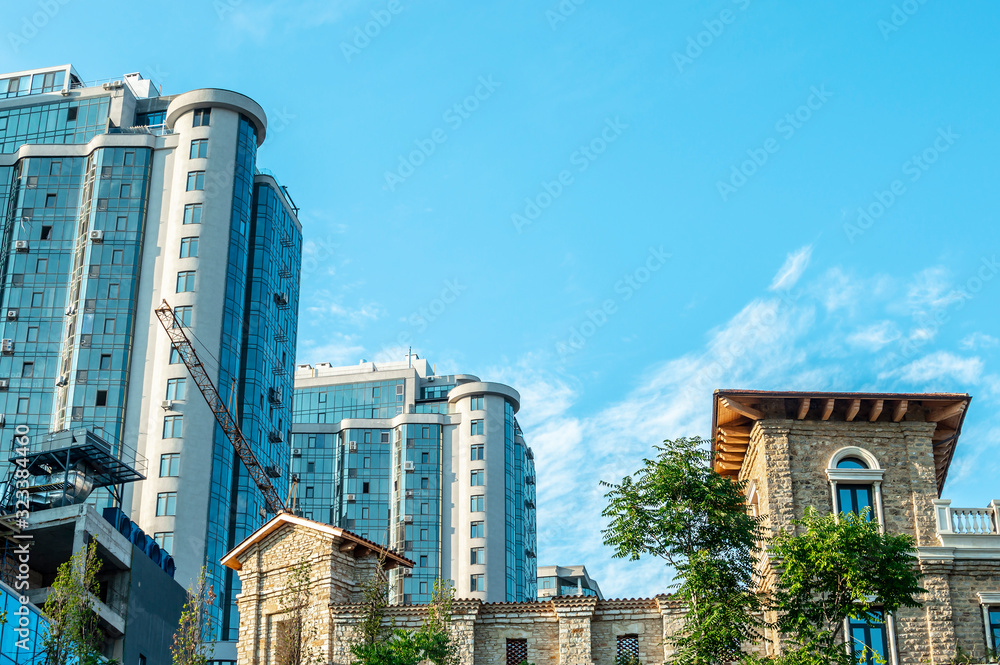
x=434 y=467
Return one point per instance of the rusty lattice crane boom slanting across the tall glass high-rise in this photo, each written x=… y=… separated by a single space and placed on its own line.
x=180 y=341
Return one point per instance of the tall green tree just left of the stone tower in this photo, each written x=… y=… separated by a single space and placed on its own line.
x=677 y=508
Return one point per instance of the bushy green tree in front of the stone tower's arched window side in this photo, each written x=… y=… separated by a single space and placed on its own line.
x=835 y=569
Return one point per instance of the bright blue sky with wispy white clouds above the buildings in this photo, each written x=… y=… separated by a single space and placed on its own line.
x=630 y=207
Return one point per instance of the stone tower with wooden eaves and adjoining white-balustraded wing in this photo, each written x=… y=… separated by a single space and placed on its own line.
x=889 y=453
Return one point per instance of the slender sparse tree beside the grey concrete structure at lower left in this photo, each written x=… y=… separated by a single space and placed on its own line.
x=74 y=634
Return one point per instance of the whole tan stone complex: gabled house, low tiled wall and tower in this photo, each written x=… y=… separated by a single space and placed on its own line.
x=833 y=451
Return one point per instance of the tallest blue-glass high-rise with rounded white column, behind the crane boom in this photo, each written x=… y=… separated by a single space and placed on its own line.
x=115 y=198
